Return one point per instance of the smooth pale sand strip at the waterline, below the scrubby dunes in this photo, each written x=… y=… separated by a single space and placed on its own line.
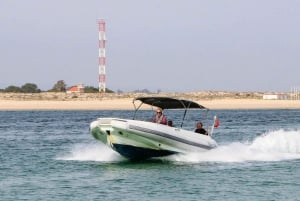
x=126 y=104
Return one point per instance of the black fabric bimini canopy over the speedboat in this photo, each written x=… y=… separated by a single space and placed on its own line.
x=169 y=103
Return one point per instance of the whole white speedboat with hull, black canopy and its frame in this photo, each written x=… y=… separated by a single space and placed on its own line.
x=137 y=139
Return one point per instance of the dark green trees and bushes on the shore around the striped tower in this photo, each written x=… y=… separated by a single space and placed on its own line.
x=59 y=86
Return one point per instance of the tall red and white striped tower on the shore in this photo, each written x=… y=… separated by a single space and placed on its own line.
x=102 y=62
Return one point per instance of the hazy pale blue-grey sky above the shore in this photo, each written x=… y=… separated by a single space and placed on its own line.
x=166 y=45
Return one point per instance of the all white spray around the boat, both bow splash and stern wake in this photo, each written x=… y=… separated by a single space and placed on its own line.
x=271 y=146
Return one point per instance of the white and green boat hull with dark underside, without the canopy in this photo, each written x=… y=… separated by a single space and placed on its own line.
x=138 y=140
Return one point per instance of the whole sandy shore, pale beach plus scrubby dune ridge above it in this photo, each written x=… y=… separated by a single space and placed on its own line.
x=112 y=101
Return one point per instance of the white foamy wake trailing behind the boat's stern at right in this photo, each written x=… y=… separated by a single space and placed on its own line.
x=271 y=146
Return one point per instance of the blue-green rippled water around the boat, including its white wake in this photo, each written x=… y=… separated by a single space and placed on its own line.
x=50 y=155
